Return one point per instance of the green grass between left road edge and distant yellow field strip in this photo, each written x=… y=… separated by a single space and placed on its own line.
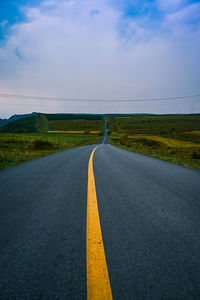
x=20 y=147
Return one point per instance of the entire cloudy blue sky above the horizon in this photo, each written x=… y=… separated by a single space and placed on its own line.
x=99 y=50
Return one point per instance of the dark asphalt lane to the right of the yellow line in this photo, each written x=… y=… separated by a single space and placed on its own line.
x=150 y=220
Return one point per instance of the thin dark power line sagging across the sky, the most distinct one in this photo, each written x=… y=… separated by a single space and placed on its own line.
x=41 y=98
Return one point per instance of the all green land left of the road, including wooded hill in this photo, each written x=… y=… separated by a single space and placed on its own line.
x=29 y=138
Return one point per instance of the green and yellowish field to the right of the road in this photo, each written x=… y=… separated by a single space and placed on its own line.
x=173 y=138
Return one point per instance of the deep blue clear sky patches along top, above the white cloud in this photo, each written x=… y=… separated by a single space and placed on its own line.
x=151 y=12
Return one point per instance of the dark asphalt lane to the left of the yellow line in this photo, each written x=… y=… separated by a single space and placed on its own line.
x=43 y=227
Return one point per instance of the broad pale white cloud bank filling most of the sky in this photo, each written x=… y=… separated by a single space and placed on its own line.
x=67 y=52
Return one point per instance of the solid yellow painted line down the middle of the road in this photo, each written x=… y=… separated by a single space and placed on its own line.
x=98 y=283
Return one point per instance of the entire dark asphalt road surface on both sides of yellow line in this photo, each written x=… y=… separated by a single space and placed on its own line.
x=149 y=213
